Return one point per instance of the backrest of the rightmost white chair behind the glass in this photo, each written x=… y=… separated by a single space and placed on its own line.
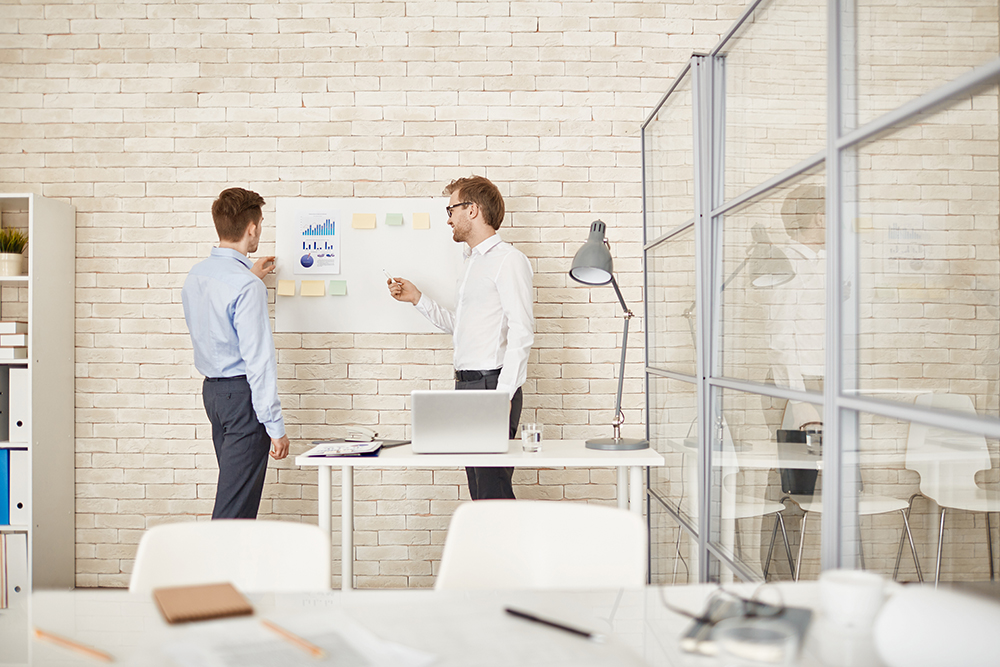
x=947 y=461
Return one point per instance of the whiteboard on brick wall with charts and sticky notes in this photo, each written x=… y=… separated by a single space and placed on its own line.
x=324 y=229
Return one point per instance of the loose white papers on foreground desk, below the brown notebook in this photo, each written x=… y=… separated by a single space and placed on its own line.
x=247 y=643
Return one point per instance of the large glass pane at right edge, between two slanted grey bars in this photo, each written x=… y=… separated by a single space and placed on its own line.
x=929 y=270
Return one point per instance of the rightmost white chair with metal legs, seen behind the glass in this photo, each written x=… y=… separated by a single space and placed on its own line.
x=947 y=462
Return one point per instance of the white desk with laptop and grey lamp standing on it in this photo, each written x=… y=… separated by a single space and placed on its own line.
x=554 y=454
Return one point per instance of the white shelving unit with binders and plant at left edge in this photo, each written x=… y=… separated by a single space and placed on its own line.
x=45 y=298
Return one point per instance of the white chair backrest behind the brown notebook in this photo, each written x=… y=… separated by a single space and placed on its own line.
x=255 y=556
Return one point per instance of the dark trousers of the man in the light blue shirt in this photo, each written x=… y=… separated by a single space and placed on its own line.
x=241 y=447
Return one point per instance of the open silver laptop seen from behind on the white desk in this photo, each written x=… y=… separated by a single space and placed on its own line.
x=459 y=422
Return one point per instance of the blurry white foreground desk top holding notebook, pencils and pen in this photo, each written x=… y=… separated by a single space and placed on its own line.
x=458 y=628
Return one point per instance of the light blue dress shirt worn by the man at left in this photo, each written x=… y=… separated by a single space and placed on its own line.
x=225 y=307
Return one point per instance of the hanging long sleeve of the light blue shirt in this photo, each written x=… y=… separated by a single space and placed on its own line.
x=253 y=329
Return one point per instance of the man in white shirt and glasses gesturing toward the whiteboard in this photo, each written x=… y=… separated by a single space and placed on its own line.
x=492 y=327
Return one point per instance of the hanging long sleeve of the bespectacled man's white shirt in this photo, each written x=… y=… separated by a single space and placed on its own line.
x=514 y=287
